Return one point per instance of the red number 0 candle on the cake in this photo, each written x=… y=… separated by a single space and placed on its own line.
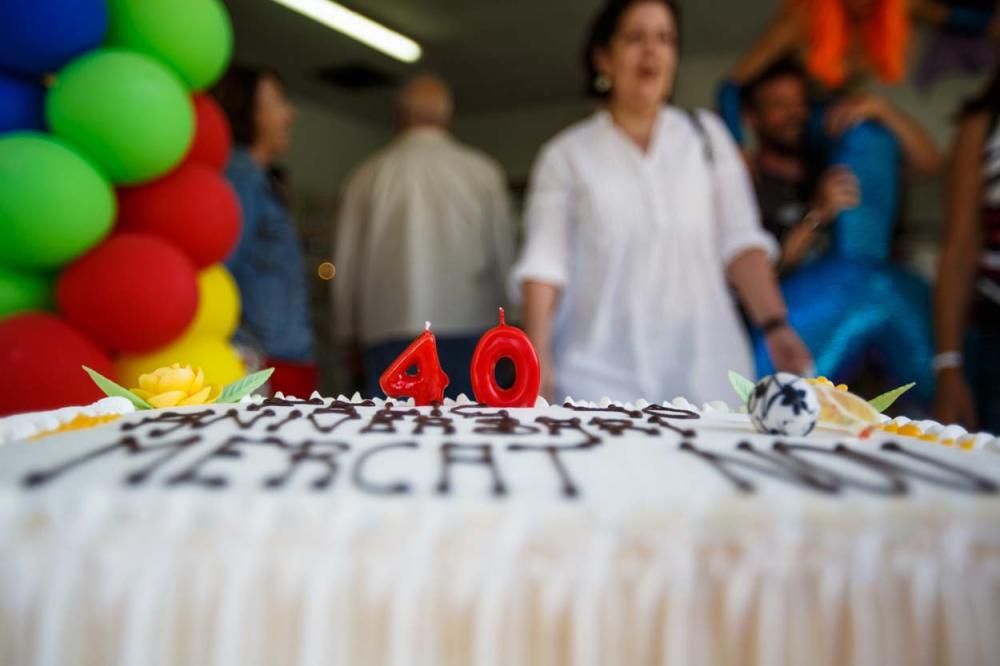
x=505 y=342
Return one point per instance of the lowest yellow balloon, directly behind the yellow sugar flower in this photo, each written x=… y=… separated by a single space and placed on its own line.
x=217 y=358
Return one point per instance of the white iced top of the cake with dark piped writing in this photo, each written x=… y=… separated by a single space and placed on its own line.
x=609 y=458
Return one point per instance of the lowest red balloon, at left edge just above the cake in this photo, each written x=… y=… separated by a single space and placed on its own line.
x=41 y=356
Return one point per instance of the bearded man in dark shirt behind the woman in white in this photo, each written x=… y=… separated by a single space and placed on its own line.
x=799 y=195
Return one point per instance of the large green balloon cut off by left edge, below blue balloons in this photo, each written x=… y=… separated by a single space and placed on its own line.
x=54 y=205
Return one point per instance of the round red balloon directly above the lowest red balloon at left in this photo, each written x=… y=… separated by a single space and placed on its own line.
x=132 y=293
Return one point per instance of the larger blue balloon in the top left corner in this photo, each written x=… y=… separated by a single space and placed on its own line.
x=40 y=36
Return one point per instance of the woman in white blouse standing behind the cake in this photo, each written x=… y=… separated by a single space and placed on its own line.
x=636 y=219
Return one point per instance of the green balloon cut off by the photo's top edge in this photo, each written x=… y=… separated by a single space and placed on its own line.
x=193 y=37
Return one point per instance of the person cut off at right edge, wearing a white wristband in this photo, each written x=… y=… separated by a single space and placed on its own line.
x=967 y=298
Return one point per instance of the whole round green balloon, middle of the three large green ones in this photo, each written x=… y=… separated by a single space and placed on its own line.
x=125 y=111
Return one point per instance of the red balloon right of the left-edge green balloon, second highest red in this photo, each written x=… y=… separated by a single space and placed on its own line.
x=193 y=207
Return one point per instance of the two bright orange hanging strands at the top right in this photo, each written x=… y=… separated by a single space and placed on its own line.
x=884 y=37
